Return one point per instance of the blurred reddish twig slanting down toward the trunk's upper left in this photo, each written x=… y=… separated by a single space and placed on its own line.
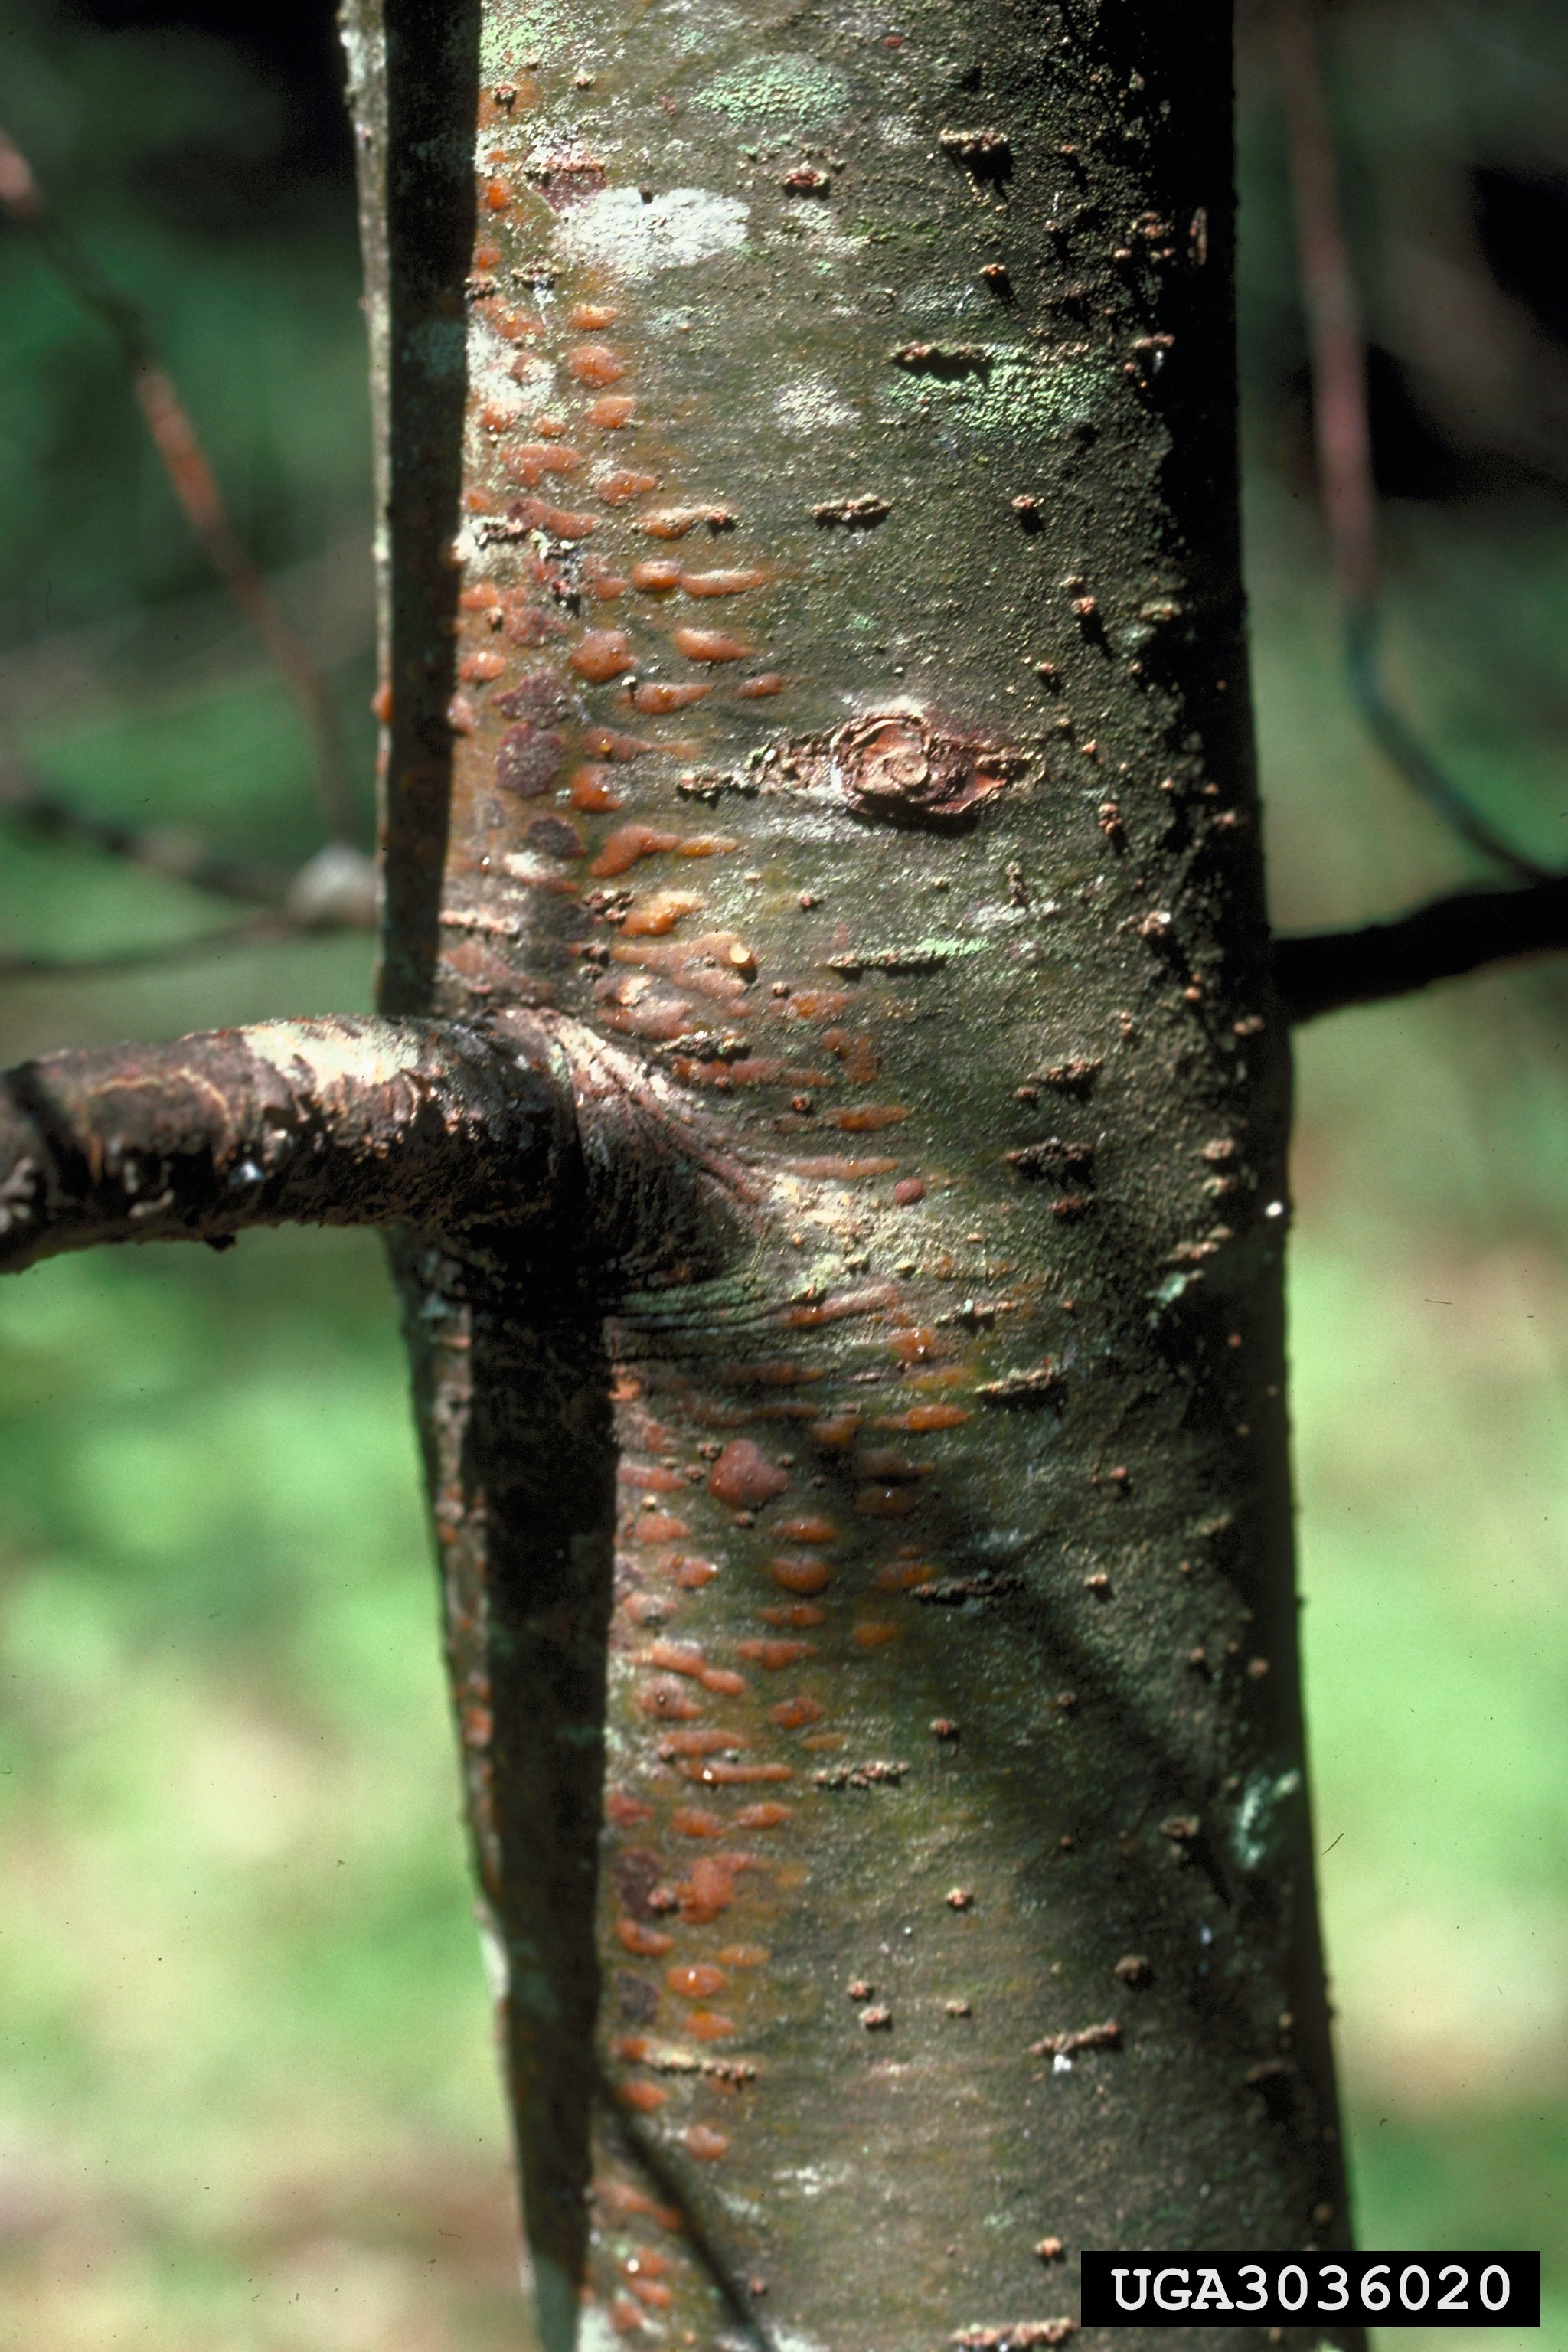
x=189 y=474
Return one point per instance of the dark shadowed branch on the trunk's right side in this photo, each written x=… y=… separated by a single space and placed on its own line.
x=1329 y=970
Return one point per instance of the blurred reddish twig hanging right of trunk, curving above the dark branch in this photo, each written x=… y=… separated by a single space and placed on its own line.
x=1343 y=432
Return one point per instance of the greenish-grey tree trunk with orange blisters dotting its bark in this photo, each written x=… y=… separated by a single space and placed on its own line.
x=819 y=810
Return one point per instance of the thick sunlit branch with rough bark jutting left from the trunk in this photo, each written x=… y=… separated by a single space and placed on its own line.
x=323 y=1123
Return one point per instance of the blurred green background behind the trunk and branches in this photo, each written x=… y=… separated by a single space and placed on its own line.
x=246 y=2080
